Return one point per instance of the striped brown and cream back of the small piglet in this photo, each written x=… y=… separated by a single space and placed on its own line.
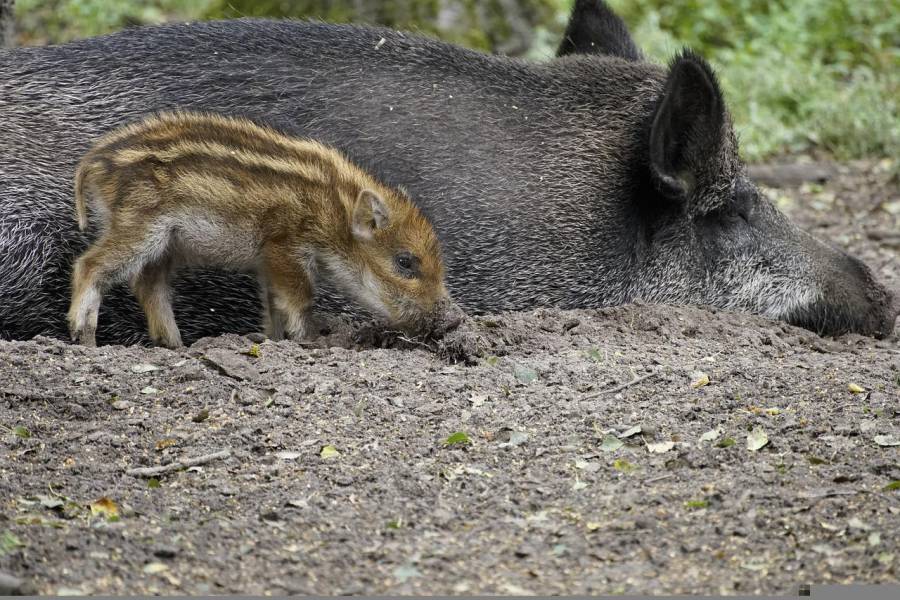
x=213 y=159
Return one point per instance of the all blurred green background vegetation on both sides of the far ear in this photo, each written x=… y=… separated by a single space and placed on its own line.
x=799 y=75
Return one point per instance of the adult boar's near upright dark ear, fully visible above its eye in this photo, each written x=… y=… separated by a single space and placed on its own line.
x=687 y=127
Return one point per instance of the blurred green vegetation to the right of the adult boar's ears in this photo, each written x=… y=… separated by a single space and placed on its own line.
x=798 y=74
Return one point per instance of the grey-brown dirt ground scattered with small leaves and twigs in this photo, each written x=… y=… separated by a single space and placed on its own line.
x=353 y=470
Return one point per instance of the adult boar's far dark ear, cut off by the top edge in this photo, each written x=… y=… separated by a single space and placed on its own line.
x=595 y=29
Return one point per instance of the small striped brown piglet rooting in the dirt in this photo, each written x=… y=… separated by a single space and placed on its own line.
x=205 y=190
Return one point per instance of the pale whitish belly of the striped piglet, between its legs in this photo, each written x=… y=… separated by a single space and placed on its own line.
x=202 y=241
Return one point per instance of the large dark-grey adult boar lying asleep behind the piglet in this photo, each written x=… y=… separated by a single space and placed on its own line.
x=590 y=180
